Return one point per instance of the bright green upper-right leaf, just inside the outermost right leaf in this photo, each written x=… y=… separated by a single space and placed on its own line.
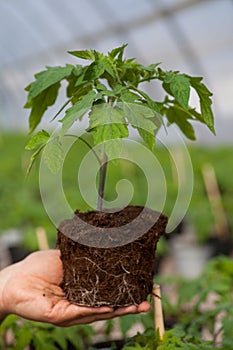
x=180 y=87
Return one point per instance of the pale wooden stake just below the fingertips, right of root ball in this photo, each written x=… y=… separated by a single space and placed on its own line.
x=158 y=310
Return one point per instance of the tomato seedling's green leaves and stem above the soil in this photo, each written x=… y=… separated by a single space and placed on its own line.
x=114 y=83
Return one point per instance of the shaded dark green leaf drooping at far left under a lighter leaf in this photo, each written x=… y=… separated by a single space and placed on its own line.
x=40 y=104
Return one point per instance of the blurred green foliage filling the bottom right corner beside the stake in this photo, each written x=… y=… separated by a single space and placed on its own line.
x=202 y=301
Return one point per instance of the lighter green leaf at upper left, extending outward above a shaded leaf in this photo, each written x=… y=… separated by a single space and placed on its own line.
x=47 y=78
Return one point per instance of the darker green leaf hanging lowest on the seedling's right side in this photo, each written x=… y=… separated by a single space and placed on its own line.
x=179 y=116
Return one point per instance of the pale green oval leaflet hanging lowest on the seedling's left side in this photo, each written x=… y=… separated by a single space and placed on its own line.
x=54 y=155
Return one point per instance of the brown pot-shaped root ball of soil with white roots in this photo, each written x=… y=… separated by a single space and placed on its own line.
x=93 y=273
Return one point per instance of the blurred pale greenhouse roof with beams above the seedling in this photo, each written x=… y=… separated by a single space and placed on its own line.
x=194 y=36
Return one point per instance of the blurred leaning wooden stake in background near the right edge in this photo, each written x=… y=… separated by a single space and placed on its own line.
x=215 y=200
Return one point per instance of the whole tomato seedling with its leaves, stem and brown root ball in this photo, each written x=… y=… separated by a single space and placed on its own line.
x=99 y=267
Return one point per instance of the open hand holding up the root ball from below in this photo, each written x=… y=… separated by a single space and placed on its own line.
x=30 y=289
